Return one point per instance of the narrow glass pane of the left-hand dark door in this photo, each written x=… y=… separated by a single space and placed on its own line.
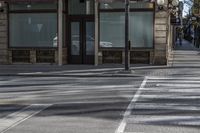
x=75 y=38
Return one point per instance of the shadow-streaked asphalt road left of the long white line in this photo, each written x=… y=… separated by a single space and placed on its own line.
x=64 y=104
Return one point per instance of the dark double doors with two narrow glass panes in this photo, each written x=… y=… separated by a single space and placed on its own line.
x=81 y=41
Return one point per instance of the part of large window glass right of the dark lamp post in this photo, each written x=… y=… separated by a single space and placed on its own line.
x=141 y=29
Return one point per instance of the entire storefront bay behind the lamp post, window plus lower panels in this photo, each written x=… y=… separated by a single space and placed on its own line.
x=112 y=31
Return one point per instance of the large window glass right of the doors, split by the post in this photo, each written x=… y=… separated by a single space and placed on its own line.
x=112 y=32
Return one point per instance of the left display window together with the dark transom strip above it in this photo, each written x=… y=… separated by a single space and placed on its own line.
x=35 y=28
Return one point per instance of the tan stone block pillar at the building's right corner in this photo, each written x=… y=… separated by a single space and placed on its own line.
x=160 y=37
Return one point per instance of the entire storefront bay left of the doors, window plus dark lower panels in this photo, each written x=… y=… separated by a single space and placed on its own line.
x=32 y=31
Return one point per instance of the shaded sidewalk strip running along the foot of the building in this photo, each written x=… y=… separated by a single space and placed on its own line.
x=105 y=70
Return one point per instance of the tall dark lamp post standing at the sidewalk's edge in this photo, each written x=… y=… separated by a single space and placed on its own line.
x=127 y=64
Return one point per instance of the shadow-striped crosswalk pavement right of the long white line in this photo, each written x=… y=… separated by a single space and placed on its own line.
x=166 y=105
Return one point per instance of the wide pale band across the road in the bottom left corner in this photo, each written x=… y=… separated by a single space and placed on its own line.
x=18 y=117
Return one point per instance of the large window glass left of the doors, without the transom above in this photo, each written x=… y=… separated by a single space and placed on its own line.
x=32 y=29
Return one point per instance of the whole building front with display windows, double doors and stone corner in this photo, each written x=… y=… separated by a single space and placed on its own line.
x=82 y=32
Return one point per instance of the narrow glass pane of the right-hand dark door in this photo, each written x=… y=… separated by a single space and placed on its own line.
x=89 y=38
